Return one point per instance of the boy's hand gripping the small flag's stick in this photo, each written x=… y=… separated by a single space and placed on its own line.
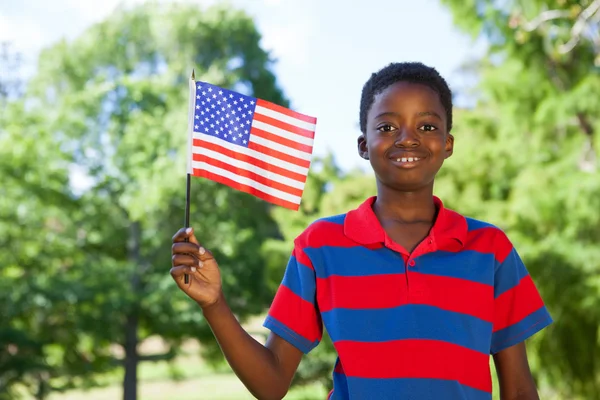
x=191 y=258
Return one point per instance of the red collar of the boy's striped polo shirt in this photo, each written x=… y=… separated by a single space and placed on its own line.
x=362 y=225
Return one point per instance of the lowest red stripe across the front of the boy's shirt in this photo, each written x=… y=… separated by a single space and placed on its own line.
x=416 y=359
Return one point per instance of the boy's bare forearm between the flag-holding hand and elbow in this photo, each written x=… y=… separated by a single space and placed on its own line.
x=254 y=364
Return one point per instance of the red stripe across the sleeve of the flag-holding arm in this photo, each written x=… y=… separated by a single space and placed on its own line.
x=297 y=314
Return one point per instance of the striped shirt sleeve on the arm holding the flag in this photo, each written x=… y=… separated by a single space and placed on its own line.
x=294 y=314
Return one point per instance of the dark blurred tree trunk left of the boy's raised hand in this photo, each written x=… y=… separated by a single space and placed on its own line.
x=131 y=324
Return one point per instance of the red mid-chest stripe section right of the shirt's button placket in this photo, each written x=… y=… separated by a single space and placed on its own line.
x=454 y=294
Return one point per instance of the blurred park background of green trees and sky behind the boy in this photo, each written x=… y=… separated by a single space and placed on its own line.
x=93 y=118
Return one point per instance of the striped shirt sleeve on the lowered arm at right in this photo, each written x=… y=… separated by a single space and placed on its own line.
x=519 y=311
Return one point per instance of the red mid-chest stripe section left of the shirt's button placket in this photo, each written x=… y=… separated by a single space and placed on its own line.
x=376 y=291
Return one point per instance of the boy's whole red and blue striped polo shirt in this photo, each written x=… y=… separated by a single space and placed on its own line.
x=418 y=325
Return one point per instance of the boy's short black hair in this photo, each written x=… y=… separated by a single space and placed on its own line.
x=413 y=72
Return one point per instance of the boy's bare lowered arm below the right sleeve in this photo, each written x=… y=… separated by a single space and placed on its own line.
x=514 y=376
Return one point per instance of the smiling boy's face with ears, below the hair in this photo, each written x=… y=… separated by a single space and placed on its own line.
x=406 y=139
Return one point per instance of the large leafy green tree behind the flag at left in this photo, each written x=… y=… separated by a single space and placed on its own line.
x=101 y=135
